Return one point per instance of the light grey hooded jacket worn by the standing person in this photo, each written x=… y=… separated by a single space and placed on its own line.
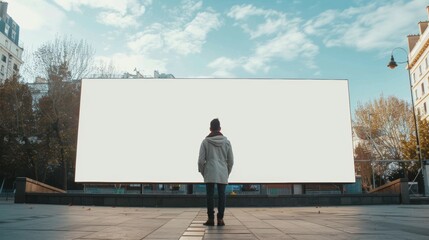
x=216 y=159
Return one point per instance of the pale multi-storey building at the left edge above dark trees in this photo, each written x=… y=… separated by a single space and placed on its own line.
x=10 y=51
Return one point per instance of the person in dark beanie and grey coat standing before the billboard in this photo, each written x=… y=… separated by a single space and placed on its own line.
x=215 y=164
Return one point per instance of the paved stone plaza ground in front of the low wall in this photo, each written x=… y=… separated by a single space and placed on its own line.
x=32 y=221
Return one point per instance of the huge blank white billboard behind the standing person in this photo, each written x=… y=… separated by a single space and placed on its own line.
x=150 y=130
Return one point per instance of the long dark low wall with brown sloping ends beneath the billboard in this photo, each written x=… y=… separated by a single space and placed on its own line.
x=34 y=192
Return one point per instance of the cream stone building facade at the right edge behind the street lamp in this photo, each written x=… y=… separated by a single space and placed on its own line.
x=418 y=46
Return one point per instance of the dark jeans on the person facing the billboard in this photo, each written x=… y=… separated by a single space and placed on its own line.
x=210 y=200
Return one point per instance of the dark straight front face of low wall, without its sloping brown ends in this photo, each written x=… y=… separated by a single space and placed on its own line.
x=132 y=200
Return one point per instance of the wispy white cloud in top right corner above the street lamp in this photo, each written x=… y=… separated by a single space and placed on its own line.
x=369 y=27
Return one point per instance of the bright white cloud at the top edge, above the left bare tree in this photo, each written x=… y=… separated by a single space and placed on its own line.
x=122 y=14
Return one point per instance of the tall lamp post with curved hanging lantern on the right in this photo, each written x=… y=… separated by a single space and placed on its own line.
x=393 y=64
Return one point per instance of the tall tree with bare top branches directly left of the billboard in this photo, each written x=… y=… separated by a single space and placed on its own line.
x=61 y=62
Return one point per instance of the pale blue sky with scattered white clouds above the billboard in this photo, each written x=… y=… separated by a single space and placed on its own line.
x=317 y=39
